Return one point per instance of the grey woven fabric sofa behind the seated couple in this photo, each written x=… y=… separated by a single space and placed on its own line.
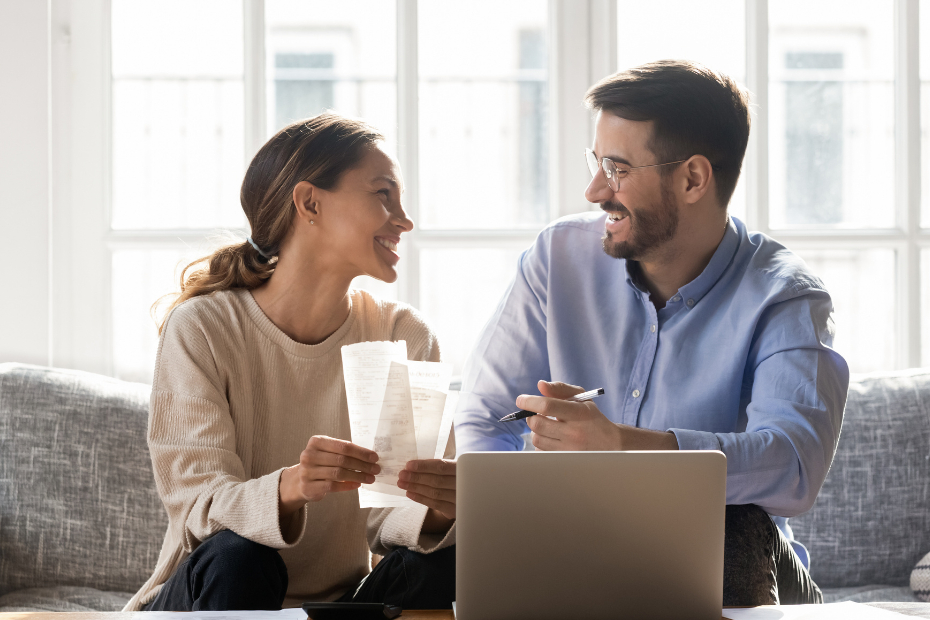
x=81 y=524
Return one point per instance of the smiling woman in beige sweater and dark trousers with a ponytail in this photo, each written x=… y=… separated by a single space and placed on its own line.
x=249 y=369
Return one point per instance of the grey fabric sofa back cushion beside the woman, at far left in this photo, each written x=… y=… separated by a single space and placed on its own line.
x=78 y=505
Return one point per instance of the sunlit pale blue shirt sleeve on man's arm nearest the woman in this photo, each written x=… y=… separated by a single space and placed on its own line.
x=511 y=356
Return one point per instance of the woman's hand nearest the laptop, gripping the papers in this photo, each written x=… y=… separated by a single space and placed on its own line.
x=431 y=482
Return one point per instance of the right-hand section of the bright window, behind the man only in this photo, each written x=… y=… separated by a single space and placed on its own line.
x=826 y=145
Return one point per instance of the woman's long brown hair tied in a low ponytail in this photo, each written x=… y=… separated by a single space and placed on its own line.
x=317 y=150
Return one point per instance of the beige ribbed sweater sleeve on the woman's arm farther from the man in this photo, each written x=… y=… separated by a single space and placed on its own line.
x=192 y=439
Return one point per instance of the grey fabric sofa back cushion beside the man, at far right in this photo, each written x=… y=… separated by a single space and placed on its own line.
x=871 y=521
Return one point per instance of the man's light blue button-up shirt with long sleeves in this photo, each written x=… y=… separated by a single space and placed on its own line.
x=739 y=360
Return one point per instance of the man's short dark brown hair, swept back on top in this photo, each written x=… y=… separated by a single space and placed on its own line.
x=694 y=110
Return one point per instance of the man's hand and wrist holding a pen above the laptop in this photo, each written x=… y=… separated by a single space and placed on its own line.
x=582 y=426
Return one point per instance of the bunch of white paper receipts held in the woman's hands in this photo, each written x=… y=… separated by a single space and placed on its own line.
x=398 y=408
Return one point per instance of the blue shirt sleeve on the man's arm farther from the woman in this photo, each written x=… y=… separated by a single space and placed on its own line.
x=797 y=386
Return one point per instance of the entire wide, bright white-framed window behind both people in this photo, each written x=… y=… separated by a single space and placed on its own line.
x=470 y=104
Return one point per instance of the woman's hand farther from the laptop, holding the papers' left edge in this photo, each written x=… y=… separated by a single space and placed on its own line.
x=327 y=465
